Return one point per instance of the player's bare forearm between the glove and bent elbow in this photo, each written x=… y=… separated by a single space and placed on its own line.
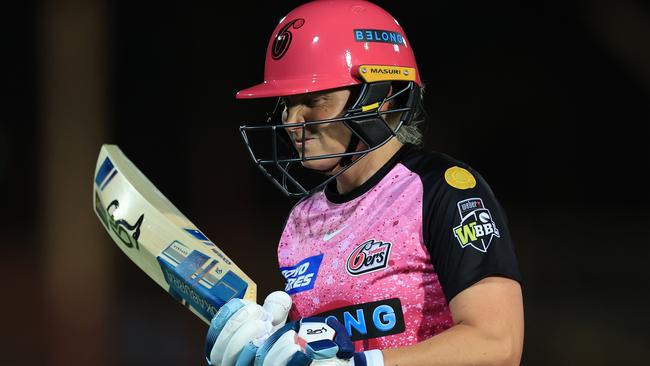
x=459 y=345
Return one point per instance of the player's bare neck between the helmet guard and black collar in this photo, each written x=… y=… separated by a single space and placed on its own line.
x=366 y=167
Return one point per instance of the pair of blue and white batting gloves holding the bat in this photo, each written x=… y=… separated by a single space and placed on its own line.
x=246 y=334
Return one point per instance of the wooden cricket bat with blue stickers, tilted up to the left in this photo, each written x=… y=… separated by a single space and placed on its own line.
x=160 y=240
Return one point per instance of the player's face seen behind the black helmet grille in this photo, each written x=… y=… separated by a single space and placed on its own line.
x=321 y=139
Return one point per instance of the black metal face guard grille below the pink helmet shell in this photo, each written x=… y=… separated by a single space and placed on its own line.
x=366 y=121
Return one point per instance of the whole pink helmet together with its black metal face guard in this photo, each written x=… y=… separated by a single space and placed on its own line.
x=325 y=45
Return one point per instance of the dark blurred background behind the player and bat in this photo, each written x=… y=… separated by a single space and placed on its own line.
x=549 y=100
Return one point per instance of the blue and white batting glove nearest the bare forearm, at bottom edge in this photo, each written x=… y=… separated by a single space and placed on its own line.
x=310 y=341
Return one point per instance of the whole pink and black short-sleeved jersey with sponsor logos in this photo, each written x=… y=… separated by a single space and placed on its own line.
x=387 y=258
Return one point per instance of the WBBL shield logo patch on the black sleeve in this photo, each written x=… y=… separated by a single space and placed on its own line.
x=476 y=228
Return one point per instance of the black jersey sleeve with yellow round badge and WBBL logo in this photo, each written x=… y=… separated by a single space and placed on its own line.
x=466 y=231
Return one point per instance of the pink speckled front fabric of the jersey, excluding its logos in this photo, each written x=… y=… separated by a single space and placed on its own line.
x=390 y=212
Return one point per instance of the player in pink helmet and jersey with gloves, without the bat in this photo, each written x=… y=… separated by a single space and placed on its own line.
x=396 y=255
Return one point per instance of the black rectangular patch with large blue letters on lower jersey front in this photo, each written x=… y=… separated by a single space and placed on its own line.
x=370 y=320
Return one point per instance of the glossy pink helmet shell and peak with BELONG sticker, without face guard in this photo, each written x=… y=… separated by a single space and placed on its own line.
x=327 y=44
